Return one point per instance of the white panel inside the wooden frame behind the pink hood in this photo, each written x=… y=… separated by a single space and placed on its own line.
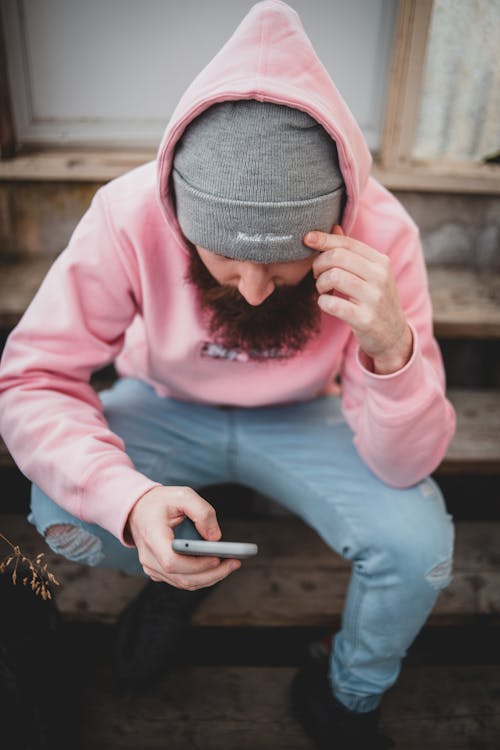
x=111 y=71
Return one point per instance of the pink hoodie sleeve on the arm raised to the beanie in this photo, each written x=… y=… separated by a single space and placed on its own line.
x=402 y=422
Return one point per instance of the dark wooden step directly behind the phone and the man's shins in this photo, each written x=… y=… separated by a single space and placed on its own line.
x=294 y=581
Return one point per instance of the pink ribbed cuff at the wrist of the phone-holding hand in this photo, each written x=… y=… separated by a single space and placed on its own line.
x=118 y=489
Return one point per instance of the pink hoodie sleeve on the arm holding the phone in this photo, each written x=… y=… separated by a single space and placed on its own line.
x=50 y=417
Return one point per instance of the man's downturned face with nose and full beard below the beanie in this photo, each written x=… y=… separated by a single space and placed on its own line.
x=260 y=309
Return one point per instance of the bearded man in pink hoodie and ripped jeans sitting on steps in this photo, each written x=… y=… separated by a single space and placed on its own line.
x=234 y=282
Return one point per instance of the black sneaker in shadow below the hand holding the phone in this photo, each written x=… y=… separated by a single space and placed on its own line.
x=149 y=631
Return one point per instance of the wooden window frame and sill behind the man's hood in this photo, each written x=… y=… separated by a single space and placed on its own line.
x=393 y=164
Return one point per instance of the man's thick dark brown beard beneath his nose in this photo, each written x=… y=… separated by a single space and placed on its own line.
x=279 y=327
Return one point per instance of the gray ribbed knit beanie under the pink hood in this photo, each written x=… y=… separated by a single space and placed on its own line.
x=251 y=178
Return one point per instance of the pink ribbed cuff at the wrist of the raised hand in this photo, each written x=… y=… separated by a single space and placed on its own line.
x=402 y=385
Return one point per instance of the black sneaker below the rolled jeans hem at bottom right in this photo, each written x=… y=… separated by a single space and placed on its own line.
x=328 y=722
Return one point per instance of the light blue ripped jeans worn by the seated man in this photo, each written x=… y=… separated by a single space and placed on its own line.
x=400 y=541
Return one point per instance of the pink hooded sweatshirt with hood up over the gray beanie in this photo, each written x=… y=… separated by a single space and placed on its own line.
x=117 y=292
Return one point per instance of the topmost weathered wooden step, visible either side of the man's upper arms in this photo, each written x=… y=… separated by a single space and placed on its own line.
x=466 y=303
